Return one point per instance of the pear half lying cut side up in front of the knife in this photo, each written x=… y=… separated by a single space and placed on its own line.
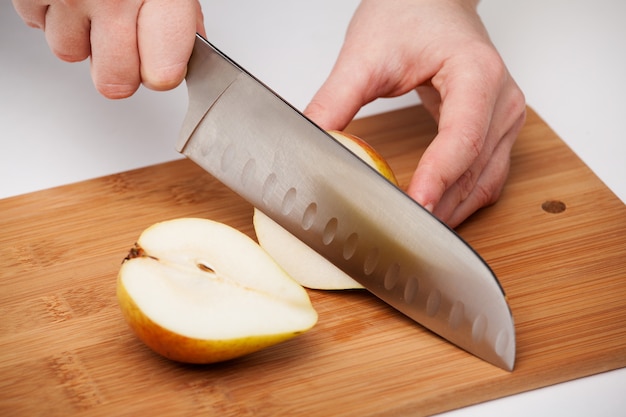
x=199 y=291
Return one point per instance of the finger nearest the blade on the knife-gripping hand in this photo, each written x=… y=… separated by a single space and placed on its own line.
x=166 y=34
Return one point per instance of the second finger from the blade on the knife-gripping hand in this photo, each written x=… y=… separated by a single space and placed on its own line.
x=114 y=54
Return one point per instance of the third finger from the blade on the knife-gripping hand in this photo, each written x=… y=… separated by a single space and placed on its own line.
x=67 y=32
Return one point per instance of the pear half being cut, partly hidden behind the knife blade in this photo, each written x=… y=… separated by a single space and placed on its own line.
x=301 y=262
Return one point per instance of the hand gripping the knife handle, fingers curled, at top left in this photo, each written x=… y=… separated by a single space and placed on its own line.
x=130 y=42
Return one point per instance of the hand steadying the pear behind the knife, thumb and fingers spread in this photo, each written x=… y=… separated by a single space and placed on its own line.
x=441 y=49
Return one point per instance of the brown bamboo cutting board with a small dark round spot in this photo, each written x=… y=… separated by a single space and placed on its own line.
x=556 y=240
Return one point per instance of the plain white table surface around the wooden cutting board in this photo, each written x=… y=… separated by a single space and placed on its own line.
x=569 y=57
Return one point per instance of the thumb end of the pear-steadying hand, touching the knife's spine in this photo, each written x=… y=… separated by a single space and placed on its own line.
x=339 y=99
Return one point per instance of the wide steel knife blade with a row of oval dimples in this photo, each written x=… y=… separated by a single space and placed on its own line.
x=260 y=146
